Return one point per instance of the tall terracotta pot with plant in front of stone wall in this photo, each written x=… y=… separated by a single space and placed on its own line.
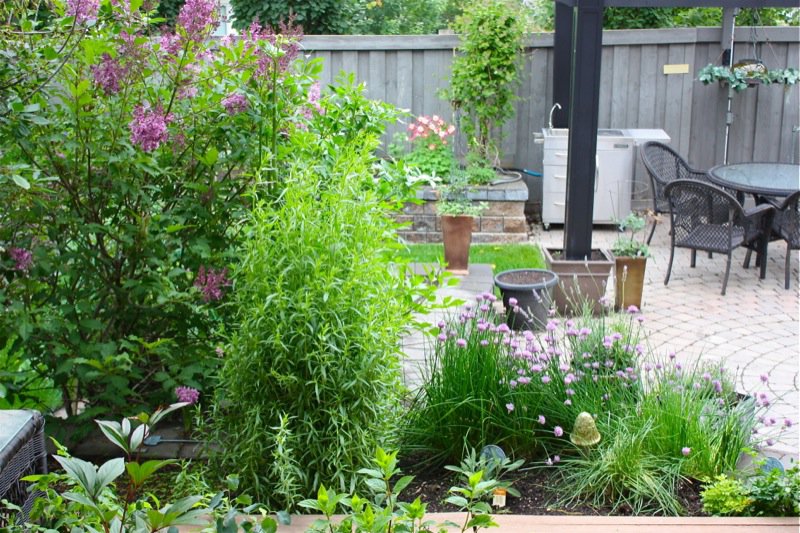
x=457 y=212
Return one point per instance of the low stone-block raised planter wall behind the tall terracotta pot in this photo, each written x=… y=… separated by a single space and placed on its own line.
x=503 y=221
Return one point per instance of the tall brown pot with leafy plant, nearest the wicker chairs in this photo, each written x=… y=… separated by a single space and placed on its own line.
x=630 y=261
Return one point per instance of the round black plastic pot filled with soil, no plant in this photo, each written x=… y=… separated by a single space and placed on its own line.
x=533 y=290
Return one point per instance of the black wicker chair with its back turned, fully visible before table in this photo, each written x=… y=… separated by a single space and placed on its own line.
x=695 y=213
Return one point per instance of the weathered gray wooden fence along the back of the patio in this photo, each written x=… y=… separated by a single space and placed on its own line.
x=410 y=71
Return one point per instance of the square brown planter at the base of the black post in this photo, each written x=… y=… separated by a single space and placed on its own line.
x=581 y=283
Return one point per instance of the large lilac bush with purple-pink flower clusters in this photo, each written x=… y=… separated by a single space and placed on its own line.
x=128 y=154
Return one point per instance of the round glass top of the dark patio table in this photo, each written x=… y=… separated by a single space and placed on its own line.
x=777 y=179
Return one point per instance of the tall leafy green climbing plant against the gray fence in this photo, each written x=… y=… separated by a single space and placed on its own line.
x=486 y=71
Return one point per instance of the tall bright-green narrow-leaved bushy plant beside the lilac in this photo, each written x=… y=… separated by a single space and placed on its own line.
x=319 y=312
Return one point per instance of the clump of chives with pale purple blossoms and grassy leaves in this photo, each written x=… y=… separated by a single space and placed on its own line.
x=659 y=418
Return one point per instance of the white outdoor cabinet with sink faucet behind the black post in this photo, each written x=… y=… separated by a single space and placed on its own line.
x=613 y=177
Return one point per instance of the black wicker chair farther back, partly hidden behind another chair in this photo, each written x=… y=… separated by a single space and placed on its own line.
x=664 y=166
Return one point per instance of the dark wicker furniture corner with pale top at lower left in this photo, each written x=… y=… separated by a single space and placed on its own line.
x=22 y=453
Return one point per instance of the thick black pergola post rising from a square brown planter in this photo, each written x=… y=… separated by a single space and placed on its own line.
x=584 y=106
